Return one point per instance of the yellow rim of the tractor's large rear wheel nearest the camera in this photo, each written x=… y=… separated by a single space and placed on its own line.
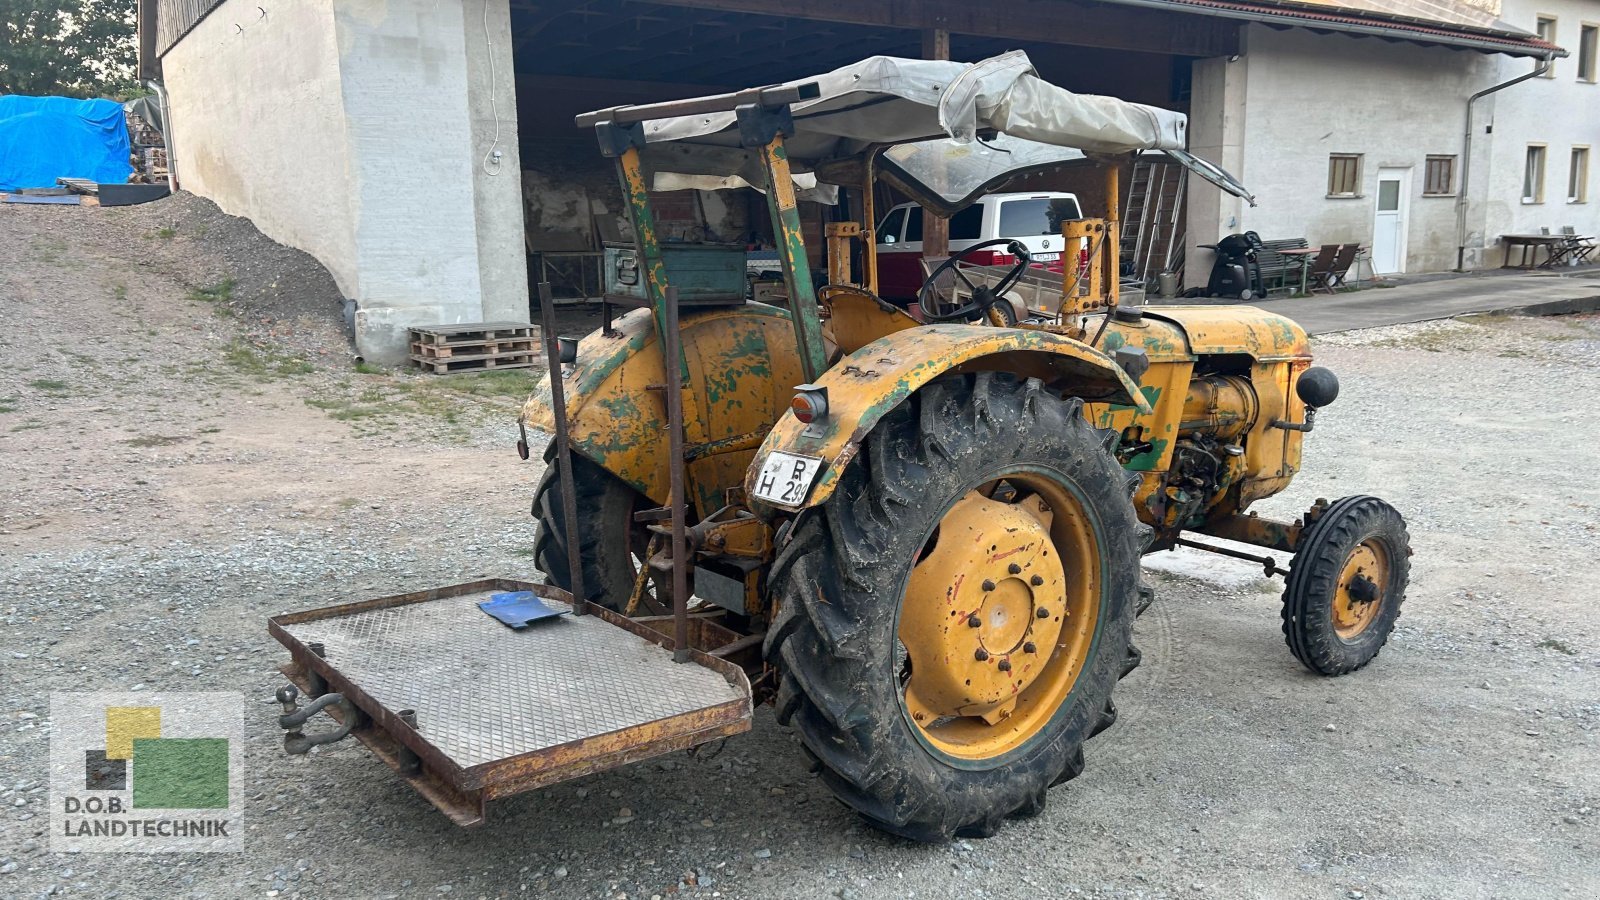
x=999 y=617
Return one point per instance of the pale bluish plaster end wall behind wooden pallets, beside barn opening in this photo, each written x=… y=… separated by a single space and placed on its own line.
x=414 y=161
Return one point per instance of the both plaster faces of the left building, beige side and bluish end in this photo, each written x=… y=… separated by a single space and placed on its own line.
x=358 y=131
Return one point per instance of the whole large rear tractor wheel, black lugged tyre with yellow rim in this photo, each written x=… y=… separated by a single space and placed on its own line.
x=953 y=621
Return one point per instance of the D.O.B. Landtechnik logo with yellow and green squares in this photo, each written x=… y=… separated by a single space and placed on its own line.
x=145 y=773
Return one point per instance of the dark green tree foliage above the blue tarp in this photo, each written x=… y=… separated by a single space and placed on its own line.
x=68 y=47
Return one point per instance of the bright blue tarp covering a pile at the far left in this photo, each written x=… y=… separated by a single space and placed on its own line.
x=44 y=139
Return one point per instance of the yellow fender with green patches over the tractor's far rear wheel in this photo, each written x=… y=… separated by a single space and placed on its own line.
x=742 y=374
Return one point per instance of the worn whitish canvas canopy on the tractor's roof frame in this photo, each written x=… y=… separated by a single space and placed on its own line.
x=937 y=108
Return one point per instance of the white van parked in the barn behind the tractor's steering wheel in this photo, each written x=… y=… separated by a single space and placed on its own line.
x=1022 y=217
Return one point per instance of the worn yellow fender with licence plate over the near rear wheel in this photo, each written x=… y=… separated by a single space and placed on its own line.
x=866 y=385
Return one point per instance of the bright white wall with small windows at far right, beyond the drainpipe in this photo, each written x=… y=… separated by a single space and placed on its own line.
x=1561 y=113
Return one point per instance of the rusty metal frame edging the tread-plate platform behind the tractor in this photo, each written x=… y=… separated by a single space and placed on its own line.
x=463 y=794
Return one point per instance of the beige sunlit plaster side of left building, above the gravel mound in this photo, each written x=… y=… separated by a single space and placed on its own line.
x=258 y=126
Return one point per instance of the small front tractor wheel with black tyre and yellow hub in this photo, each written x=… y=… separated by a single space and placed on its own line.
x=1346 y=585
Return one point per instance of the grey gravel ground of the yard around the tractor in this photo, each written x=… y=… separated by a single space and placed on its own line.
x=178 y=467
